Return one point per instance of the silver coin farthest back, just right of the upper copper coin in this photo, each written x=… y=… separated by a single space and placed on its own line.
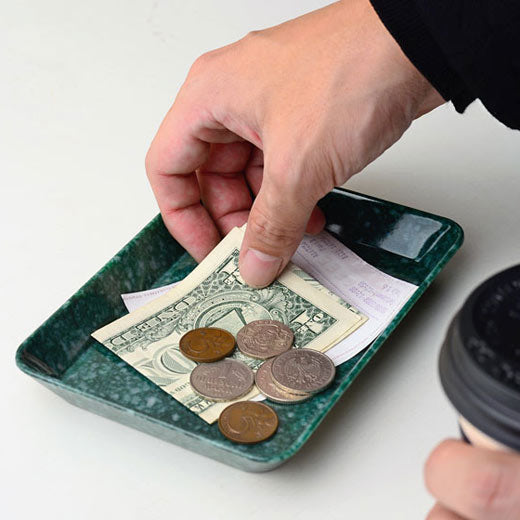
x=263 y=339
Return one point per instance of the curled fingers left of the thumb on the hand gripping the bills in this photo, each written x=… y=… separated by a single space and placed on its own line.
x=181 y=146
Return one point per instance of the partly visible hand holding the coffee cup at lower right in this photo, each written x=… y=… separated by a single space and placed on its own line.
x=473 y=483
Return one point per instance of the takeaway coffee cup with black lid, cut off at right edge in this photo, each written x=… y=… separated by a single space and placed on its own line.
x=479 y=363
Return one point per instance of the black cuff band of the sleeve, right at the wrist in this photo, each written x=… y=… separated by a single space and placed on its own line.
x=404 y=22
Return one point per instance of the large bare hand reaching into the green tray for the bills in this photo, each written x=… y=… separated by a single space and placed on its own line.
x=284 y=114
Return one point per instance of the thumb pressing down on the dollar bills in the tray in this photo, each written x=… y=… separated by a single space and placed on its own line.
x=275 y=227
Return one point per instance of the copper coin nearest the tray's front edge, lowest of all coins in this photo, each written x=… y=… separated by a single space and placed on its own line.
x=248 y=422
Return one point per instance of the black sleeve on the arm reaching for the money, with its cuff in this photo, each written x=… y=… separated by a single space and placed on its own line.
x=467 y=49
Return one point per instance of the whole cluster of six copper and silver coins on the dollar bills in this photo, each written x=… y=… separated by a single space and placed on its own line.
x=287 y=375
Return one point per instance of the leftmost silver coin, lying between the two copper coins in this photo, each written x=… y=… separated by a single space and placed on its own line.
x=222 y=381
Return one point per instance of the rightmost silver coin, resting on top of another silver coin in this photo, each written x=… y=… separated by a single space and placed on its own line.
x=303 y=370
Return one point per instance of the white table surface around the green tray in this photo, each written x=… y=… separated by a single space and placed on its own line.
x=83 y=88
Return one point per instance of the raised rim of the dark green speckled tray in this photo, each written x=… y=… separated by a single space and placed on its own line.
x=300 y=441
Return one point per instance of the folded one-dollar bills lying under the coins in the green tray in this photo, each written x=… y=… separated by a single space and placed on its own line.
x=214 y=295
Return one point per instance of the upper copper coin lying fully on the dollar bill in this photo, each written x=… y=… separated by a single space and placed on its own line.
x=206 y=345
